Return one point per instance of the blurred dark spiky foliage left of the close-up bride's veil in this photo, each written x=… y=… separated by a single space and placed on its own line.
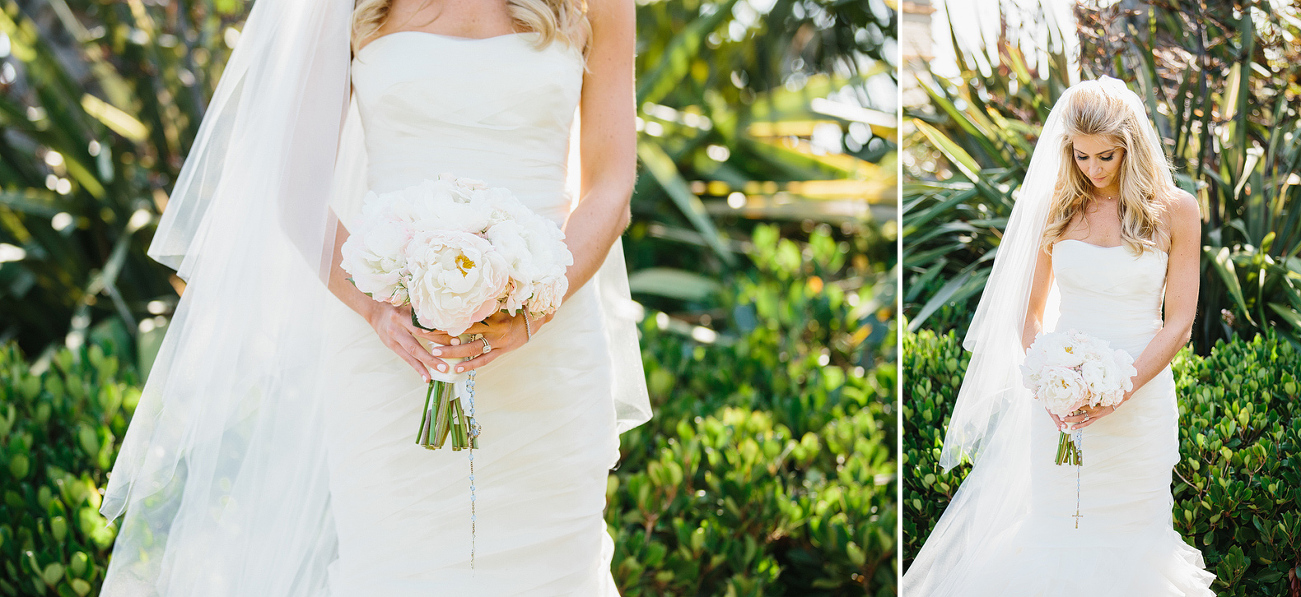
x=93 y=127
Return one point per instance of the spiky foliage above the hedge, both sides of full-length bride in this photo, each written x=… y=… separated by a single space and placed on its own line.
x=1221 y=81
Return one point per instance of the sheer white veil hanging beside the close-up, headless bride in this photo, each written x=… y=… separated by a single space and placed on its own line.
x=223 y=475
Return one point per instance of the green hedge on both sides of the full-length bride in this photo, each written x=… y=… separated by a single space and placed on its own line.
x=1238 y=486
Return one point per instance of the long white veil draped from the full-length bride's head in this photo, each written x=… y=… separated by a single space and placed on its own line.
x=992 y=417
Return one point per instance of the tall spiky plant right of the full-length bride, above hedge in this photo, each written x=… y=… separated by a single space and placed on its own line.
x=1224 y=96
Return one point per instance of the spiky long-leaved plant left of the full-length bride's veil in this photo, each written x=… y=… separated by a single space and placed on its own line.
x=967 y=157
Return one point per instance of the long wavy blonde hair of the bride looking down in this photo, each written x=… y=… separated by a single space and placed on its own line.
x=1144 y=171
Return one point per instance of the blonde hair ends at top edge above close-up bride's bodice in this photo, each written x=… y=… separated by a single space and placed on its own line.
x=555 y=20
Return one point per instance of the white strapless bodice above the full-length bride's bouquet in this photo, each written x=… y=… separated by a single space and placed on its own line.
x=1110 y=292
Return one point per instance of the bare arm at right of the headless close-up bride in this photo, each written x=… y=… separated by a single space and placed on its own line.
x=608 y=141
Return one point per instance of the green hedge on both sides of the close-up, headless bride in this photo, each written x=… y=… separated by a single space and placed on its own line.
x=768 y=469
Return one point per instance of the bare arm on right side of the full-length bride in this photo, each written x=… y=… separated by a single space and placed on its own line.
x=1183 y=278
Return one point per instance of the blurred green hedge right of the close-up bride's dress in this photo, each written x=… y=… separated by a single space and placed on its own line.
x=770 y=465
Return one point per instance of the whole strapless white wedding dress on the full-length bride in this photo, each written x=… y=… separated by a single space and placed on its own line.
x=1126 y=544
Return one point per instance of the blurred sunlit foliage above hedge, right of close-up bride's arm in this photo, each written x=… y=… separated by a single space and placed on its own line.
x=759 y=113
